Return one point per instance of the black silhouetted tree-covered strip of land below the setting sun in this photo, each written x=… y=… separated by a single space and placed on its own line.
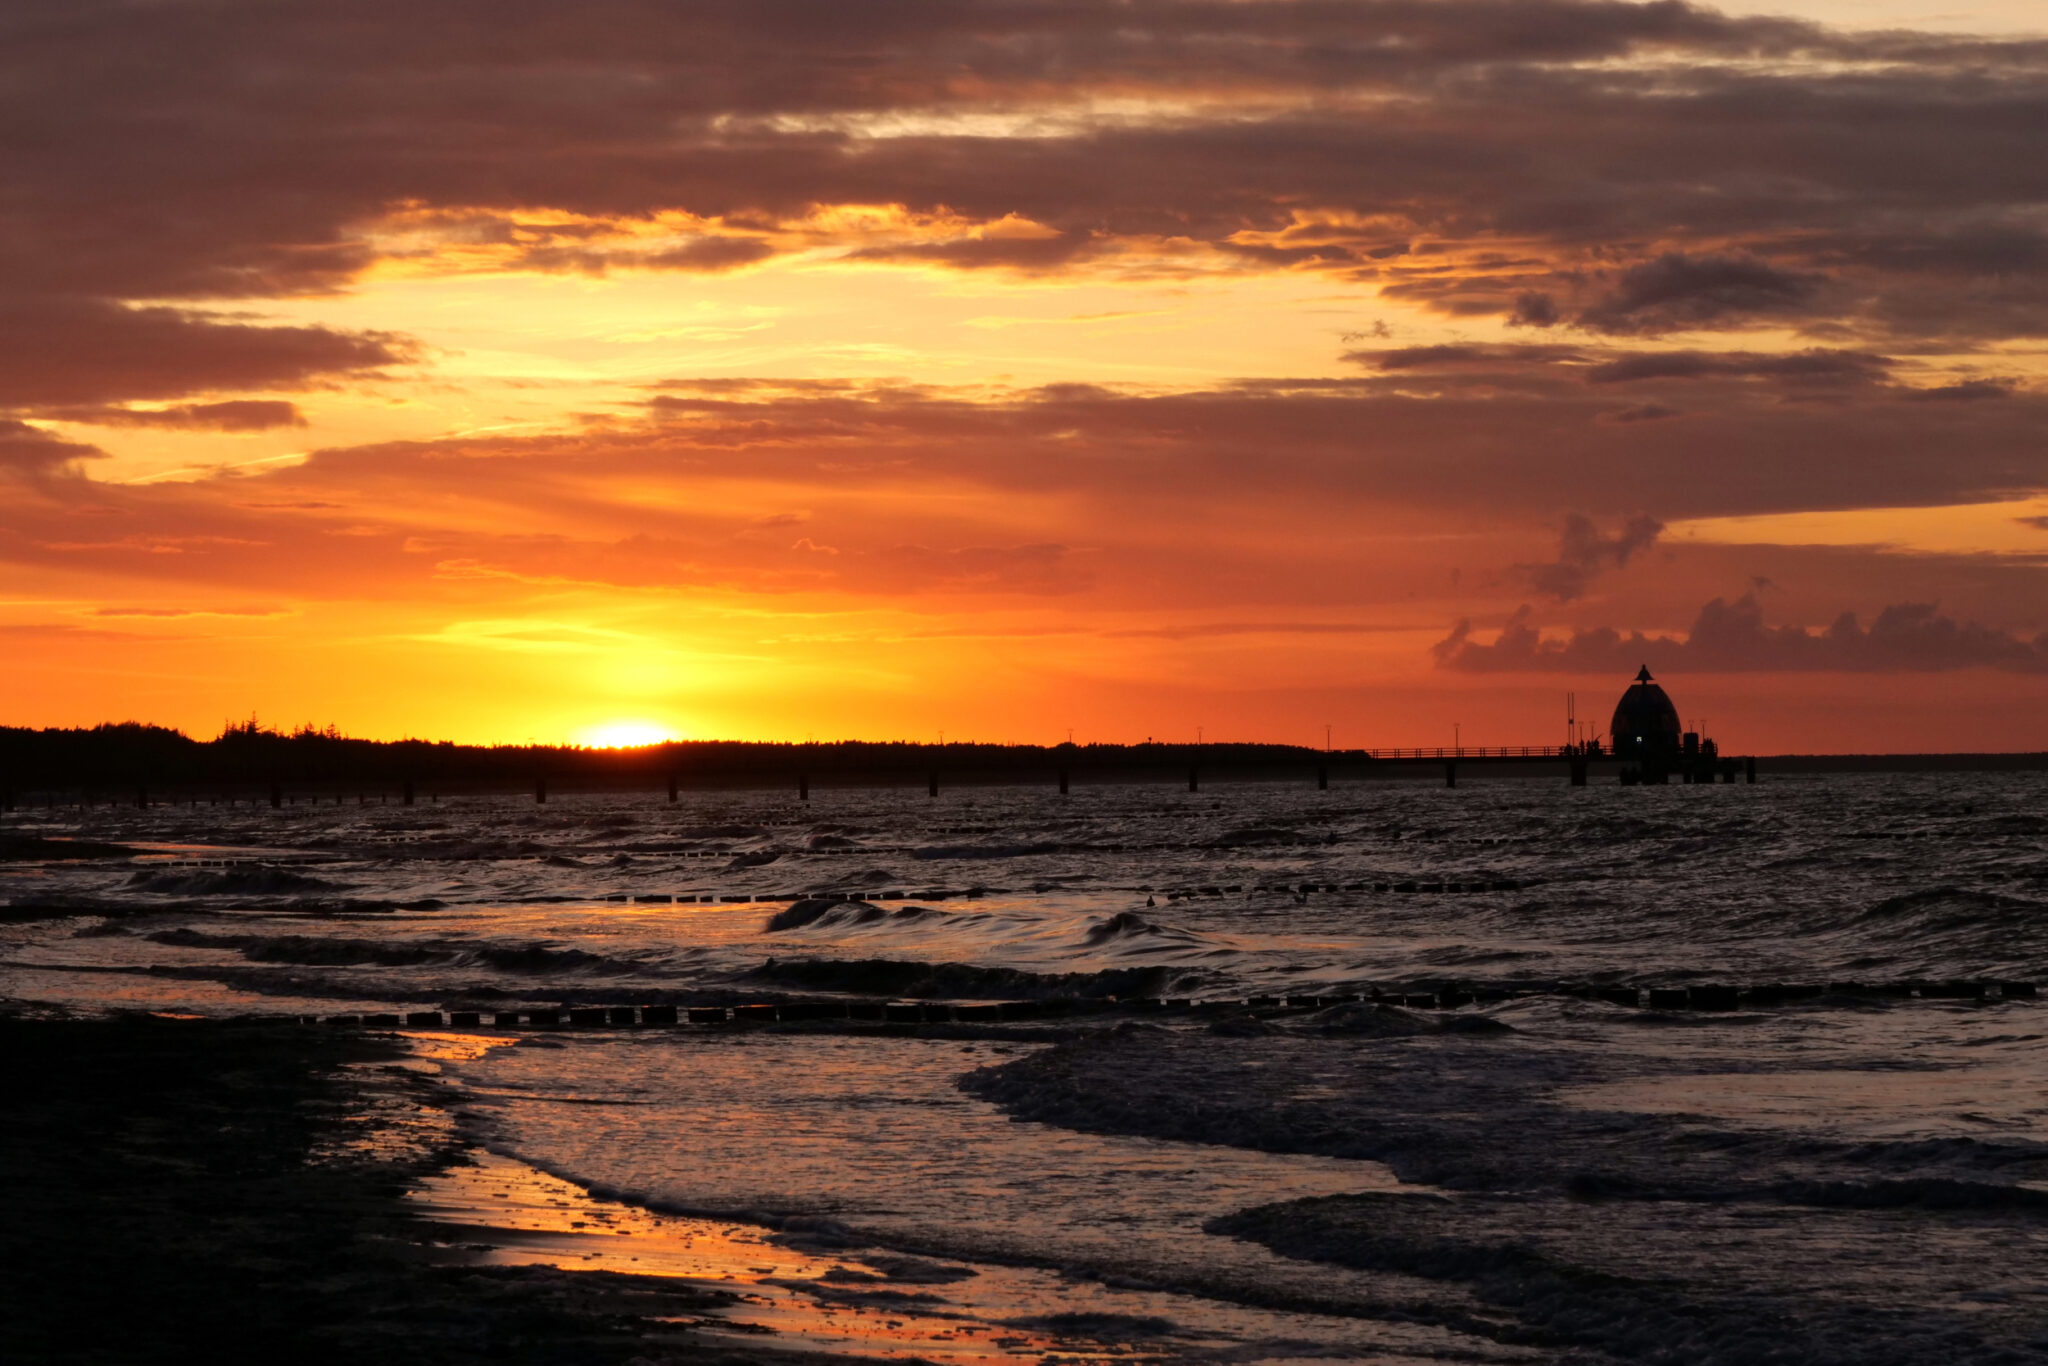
x=253 y=757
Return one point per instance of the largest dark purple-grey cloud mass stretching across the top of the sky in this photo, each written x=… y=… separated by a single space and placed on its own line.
x=1752 y=171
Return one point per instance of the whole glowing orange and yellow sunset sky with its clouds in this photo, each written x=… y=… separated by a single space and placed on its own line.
x=787 y=370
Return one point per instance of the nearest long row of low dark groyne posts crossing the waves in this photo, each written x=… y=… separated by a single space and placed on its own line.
x=1697 y=998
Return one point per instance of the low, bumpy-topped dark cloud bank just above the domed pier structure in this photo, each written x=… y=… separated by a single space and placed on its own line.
x=1730 y=638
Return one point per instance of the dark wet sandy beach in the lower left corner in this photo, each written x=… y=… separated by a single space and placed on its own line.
x=214 y=1191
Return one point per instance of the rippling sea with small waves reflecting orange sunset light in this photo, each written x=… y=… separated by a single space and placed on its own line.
x=1510 y=1072
